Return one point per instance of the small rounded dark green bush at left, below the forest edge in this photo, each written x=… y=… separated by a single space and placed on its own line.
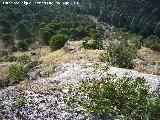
x=22 y=45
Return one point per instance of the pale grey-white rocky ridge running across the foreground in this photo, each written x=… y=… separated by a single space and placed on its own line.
x=44 y=95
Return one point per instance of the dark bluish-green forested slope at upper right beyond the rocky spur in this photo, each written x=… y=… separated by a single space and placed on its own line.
x=137 y=16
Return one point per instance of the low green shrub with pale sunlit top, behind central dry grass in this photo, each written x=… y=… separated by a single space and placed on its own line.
x=89 y=43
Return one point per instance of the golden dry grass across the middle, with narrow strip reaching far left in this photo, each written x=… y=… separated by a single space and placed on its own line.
x=62 y=55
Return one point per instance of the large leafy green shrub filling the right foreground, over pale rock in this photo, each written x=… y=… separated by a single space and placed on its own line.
x=120 y=98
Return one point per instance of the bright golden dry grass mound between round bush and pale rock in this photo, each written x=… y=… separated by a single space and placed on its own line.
x=62 y=56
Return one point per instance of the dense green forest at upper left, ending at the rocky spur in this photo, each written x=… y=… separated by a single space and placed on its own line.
x=40 y=22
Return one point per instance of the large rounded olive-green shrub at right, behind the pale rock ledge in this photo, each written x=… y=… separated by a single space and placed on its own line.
x=121 y=55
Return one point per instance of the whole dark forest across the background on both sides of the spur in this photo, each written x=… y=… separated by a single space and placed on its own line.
x=25 y=21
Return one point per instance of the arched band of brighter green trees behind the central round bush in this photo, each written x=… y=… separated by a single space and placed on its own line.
x=74 y=27
